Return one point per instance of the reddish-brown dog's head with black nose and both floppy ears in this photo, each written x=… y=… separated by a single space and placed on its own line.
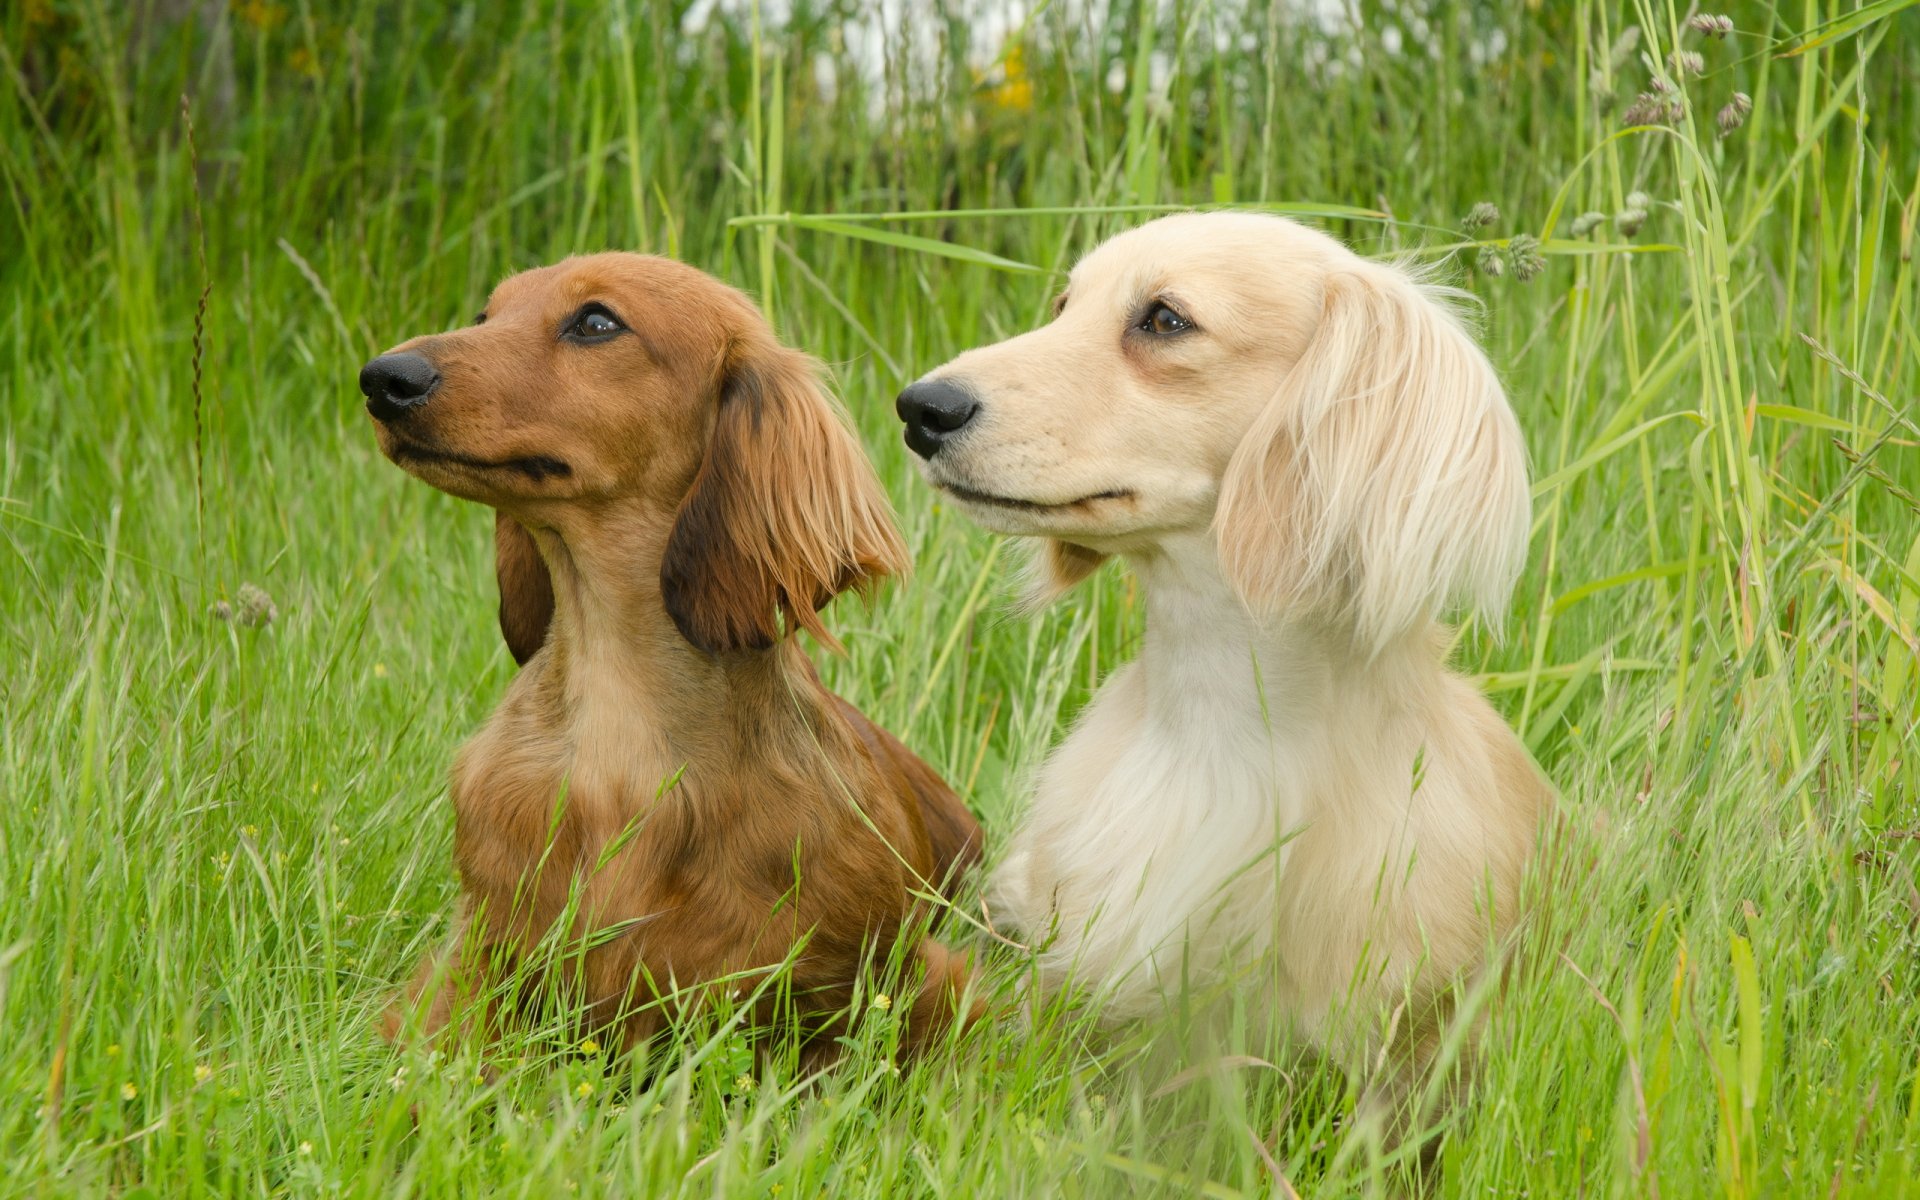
x=635 y=391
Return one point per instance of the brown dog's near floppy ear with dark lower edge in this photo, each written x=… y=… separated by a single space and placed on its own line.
x=784 y=514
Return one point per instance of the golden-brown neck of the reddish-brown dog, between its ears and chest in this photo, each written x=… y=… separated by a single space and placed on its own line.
x=621 y=669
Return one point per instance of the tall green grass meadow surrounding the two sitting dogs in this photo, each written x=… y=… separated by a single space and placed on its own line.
x=237 y=648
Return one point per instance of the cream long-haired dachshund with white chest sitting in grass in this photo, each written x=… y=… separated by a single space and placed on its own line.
x=1305 y=458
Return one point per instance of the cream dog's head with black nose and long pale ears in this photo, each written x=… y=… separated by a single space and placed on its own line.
x=1326 y=416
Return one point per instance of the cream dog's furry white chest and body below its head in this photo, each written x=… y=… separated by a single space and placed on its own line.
x=1247 y=807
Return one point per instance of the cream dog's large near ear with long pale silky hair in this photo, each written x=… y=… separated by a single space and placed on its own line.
x=1387 y=479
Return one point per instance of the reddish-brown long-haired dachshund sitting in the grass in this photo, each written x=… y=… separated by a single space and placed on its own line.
x=667 y=792
